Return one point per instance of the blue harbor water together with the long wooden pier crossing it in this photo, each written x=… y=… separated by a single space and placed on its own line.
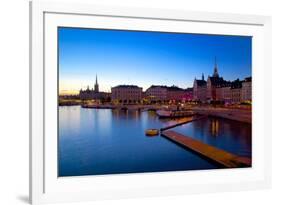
x=119 y=139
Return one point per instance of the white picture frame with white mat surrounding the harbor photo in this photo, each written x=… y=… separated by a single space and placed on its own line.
x=46 y=187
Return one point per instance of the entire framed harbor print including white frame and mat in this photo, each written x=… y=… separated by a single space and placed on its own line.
x=129 y=102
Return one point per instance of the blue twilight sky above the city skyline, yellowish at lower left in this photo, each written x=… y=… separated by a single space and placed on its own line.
x=146 y=58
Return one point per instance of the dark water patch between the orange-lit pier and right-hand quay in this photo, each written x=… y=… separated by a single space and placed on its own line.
x=229 y=135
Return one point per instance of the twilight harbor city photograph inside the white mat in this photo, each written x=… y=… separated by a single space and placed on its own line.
x=134 y=101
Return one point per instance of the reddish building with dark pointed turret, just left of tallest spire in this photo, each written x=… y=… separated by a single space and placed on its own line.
x=199 y=89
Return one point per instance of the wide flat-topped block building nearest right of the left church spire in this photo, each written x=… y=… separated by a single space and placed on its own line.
x=126 y=94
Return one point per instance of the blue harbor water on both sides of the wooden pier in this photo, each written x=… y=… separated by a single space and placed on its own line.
x=104 y=141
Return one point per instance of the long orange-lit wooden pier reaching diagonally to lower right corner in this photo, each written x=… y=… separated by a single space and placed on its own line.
x=221 y=157
